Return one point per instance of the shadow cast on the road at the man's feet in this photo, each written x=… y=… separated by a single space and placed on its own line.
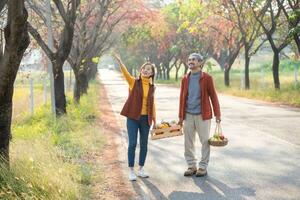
x=213 y=189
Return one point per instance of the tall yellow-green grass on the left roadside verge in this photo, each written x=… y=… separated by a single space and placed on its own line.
x=48 y=156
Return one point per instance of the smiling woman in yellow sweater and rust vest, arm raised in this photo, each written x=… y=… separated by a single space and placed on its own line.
x=139 y=109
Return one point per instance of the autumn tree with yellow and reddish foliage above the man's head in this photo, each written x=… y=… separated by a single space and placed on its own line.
x=211 y=33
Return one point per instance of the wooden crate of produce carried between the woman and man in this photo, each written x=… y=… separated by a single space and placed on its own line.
x=166 y=132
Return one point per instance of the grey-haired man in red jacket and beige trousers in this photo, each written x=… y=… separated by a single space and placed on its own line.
x=197 y=92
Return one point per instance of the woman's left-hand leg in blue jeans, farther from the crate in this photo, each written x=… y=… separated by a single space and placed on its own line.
x=132 y=129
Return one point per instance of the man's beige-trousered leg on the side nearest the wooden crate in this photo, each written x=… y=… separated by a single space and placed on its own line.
x=189 y=141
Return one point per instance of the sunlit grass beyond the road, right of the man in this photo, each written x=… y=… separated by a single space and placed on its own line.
x=261 y=84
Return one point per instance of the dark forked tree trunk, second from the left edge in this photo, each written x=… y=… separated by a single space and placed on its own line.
x=58 y=56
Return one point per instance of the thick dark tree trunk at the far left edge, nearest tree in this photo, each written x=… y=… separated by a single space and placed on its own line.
x=17 y=40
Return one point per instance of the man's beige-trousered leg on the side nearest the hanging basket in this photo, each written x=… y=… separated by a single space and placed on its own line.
x=203 y=129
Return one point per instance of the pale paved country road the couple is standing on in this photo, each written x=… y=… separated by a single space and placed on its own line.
x=261 y=161
